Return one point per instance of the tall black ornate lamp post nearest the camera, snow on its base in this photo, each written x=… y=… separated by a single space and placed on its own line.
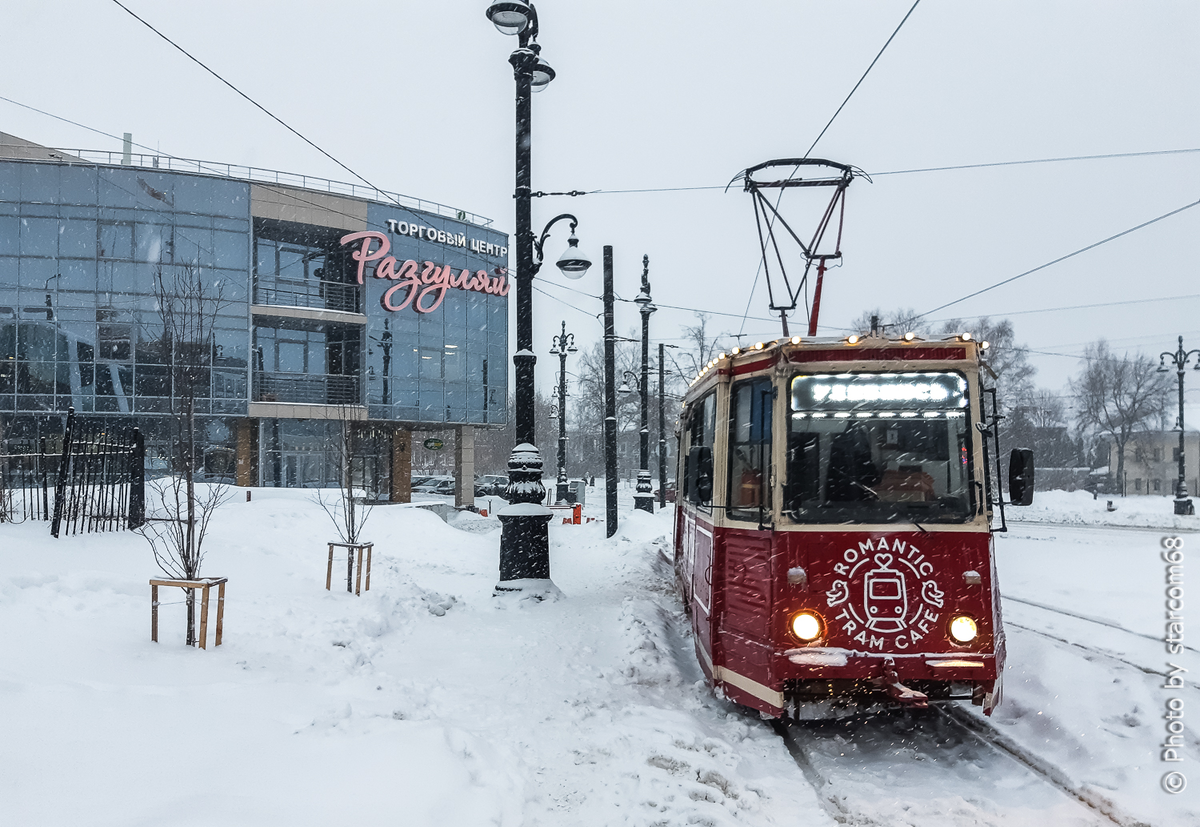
x=525 y=547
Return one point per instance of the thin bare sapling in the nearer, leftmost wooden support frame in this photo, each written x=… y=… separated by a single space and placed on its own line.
x=179 y=513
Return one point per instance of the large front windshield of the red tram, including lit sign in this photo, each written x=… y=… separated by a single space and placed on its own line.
x=879 y=448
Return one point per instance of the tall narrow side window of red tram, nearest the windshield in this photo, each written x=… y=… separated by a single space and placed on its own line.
x=751 y=451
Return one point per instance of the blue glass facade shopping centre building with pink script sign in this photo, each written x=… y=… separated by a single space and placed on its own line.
x=310 y=325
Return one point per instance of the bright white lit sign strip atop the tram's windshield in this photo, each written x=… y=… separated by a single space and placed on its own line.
x=879 y=392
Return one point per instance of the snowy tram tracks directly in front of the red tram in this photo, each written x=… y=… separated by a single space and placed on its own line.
x=946 y=738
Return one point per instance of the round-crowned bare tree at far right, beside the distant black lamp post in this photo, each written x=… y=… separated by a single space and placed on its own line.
x=1118 y=397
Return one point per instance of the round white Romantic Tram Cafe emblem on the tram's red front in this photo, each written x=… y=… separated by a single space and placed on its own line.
x=885 y=602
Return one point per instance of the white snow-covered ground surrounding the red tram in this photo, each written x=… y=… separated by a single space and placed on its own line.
x=429 y=702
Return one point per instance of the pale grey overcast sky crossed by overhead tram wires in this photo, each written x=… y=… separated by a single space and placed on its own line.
x=418 y=98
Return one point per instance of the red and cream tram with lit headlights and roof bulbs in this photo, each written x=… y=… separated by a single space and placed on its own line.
x=833 y=534
